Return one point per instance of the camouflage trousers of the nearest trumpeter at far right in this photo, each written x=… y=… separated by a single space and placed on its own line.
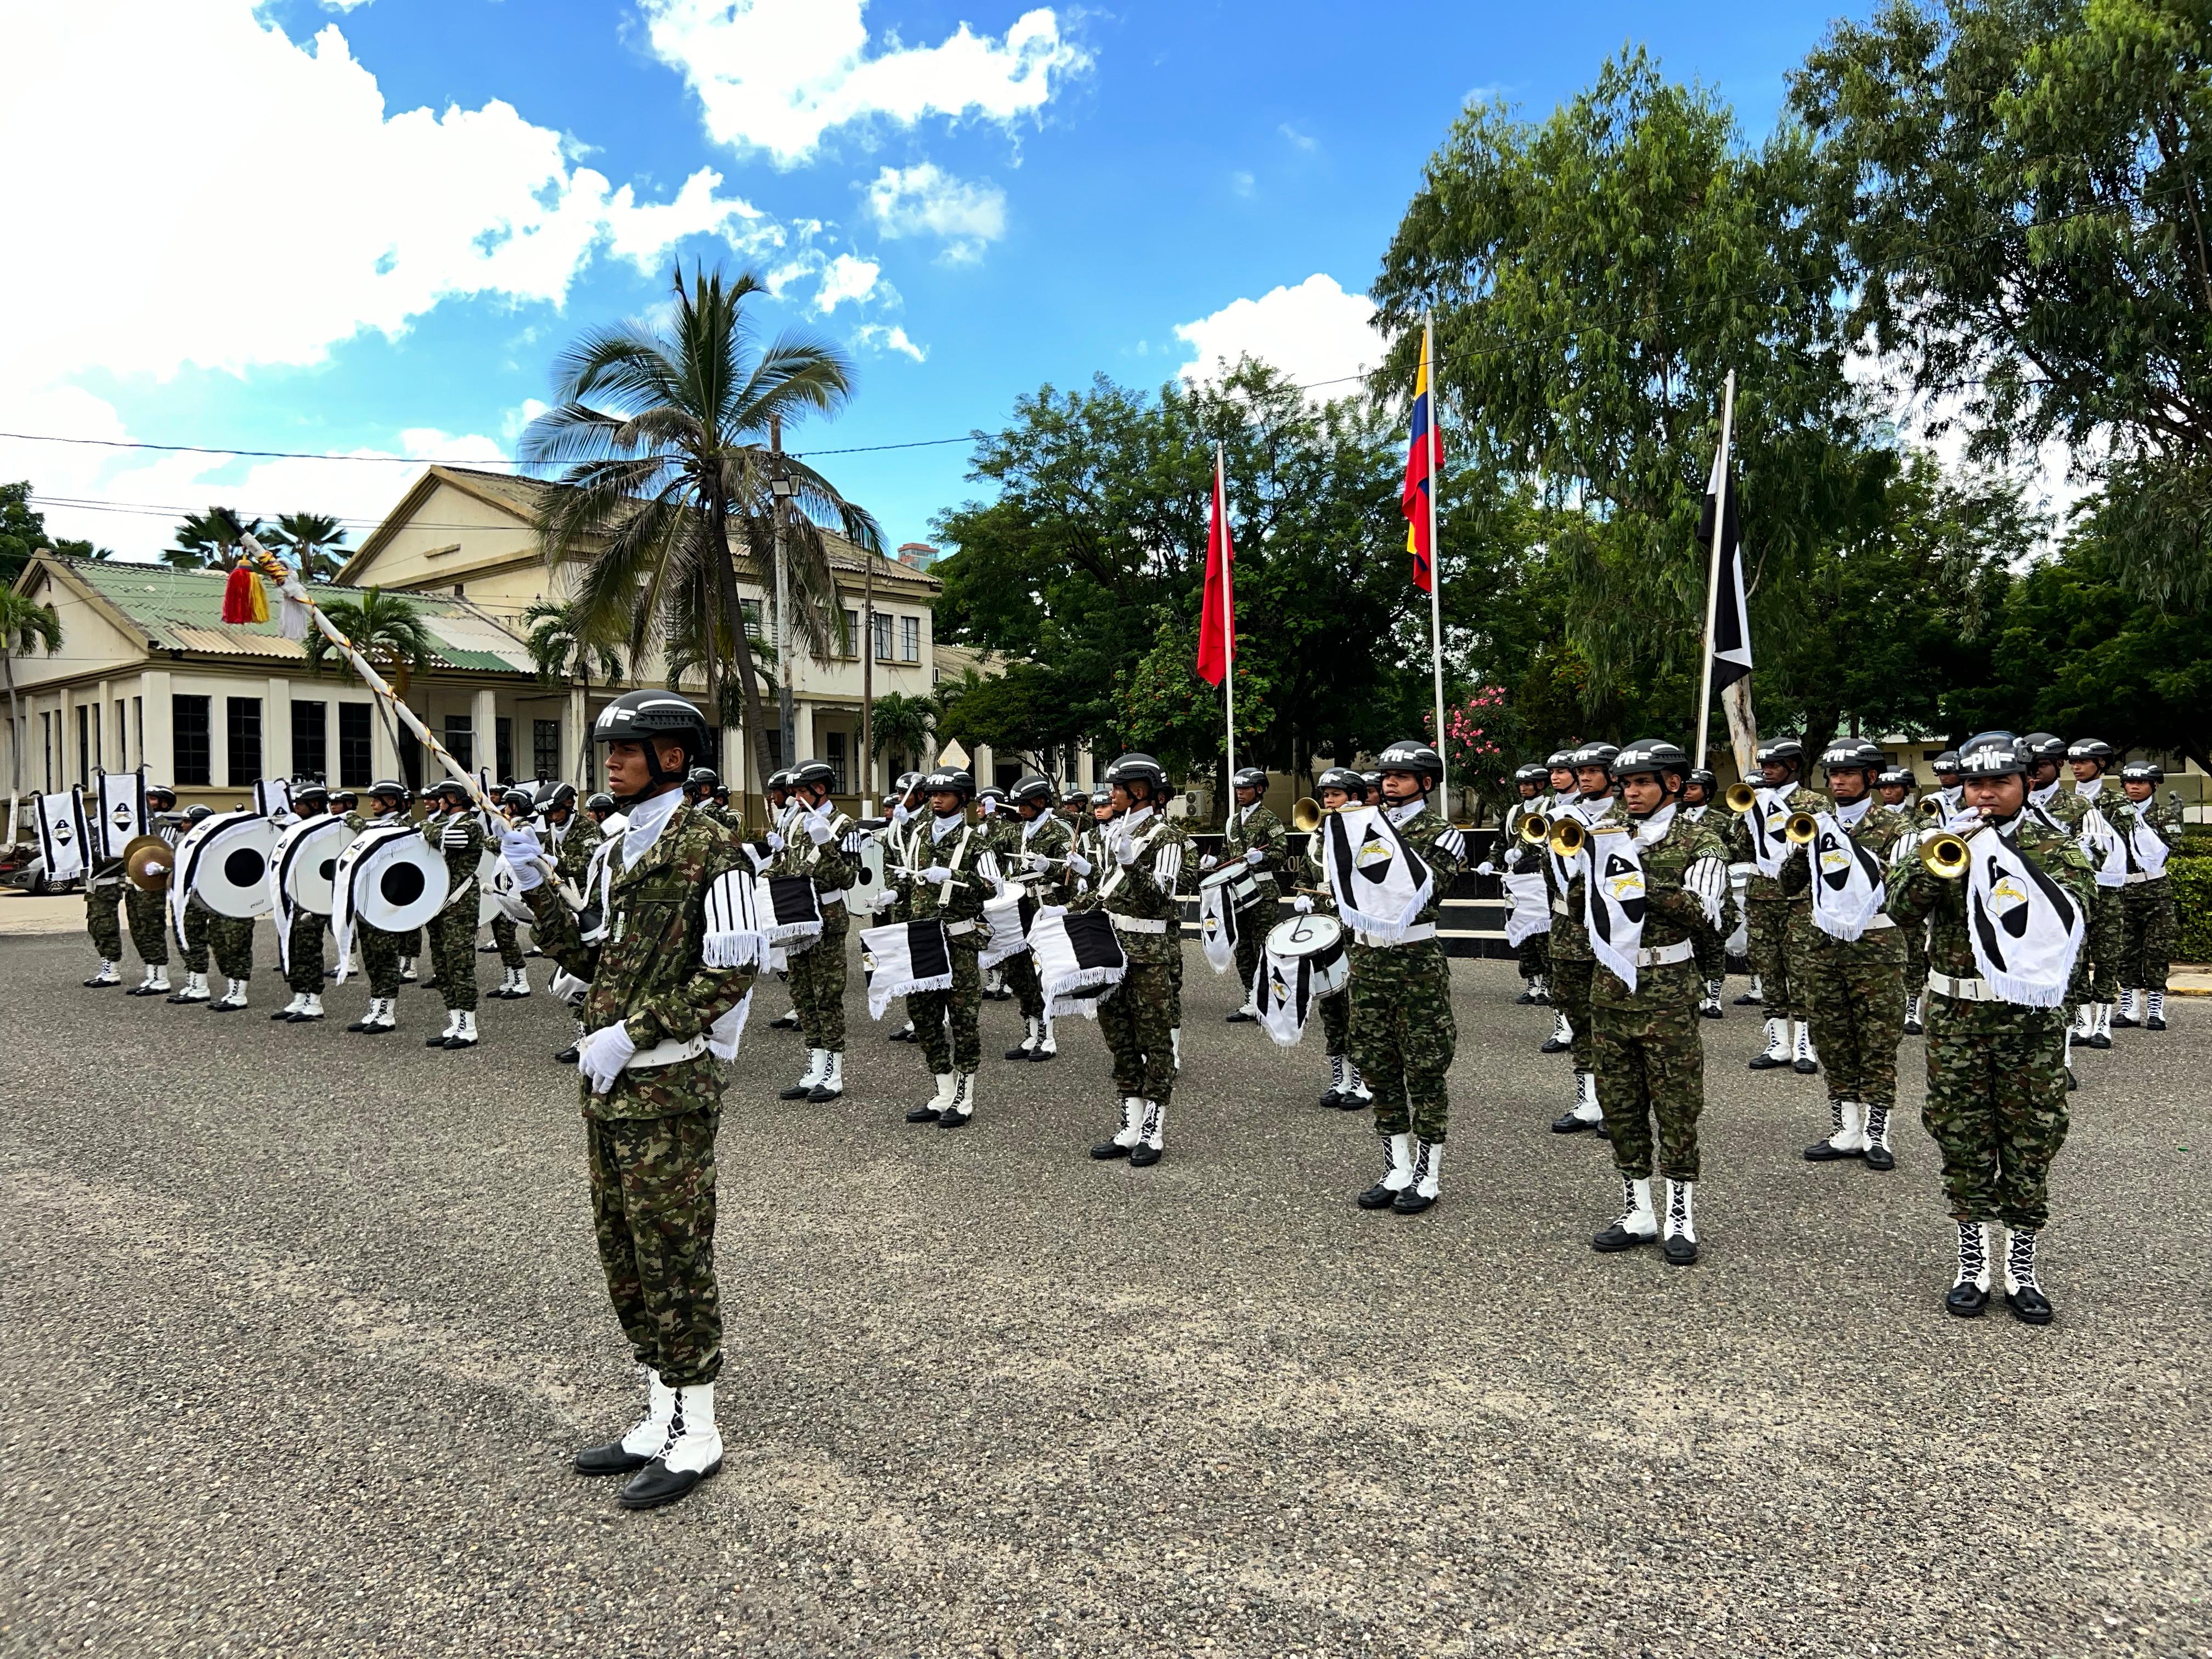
x=1996 y=1107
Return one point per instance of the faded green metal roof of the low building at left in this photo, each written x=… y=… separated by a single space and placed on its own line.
x=185 y=612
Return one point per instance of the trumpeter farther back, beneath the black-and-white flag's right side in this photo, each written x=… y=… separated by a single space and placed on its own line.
x=1777 y=904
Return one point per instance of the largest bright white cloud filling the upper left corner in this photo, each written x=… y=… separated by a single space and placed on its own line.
x=233 y=231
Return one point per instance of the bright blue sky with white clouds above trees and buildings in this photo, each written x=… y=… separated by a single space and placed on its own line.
x=366 y=229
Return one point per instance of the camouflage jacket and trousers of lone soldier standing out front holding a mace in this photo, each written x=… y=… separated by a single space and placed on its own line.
x=651 y=1138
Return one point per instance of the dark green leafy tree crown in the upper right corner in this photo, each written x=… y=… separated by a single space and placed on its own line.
x=2023 y=198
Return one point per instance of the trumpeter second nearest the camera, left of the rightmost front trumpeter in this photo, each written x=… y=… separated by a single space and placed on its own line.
x=1651 y=1058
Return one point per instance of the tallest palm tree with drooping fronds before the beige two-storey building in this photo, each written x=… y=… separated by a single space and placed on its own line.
x=669 y=481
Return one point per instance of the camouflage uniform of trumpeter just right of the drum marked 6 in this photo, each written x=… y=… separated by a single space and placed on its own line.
x=1404 y=1034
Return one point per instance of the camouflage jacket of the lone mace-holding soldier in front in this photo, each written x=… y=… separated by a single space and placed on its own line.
x=647 y=970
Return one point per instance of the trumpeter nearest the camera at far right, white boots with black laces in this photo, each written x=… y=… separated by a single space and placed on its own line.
x=1996 y=1098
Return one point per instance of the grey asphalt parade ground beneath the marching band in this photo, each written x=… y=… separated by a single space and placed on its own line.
x=300 y=1331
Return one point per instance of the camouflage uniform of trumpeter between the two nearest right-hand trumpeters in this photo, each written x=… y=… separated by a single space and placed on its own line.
x=1855 y=992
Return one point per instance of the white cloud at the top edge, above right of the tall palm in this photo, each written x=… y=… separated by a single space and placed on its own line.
x=780 y=74
